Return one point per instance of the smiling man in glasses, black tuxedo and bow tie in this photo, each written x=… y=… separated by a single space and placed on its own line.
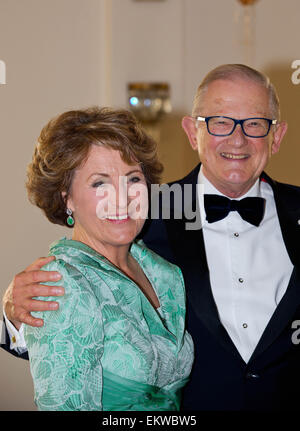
x=241 y=267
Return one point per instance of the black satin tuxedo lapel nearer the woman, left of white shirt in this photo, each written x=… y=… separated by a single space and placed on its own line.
x=189 y=251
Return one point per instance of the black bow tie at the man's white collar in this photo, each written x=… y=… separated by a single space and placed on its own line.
x=250 y=209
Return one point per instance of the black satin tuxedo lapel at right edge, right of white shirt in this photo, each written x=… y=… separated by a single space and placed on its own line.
x=288 y=212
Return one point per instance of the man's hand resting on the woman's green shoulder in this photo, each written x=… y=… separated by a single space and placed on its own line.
x=18 y=299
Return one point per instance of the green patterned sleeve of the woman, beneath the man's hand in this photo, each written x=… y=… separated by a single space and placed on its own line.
x=65 y=354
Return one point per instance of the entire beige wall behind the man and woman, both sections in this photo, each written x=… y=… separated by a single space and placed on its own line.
x=63 y=54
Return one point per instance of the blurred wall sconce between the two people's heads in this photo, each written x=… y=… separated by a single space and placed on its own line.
x=149 y=100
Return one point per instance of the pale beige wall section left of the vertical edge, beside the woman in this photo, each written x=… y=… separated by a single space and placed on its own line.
x=52 y=55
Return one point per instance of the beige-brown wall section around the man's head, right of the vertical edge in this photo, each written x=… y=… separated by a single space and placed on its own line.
x=189 y=38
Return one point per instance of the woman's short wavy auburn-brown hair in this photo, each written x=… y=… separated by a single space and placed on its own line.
x=64 y=145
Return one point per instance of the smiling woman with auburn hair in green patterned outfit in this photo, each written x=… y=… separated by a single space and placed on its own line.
x=118 y=340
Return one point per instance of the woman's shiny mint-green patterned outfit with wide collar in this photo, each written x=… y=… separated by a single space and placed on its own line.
x=107 y=348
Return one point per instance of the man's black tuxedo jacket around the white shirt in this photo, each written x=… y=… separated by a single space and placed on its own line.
x=220 y=378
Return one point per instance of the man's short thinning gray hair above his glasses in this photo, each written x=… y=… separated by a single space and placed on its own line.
x=237 y=71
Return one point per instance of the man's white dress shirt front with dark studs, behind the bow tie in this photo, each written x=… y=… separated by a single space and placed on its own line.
x=249 y=267
